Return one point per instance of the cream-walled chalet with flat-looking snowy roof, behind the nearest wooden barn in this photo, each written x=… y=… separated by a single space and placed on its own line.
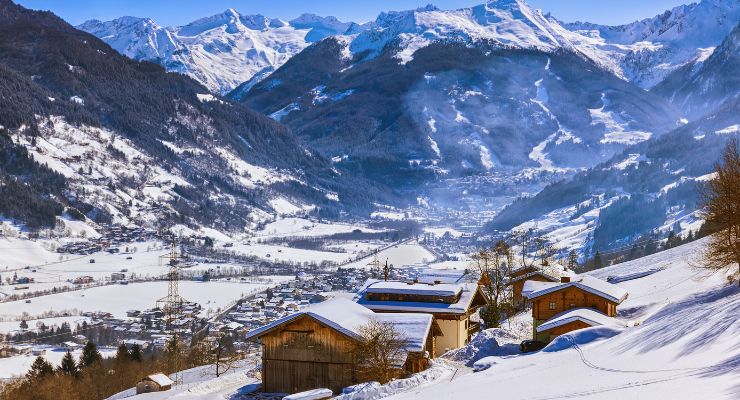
x=452 y=305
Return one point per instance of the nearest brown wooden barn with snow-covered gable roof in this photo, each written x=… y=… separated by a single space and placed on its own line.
x=312 y=349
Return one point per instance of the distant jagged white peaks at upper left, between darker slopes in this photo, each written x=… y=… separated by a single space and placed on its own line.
x=220 y=51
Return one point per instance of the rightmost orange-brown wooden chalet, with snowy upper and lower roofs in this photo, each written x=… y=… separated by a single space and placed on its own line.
x=560 y=307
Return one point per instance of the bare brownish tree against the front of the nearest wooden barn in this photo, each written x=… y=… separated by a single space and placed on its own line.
x=381 y=352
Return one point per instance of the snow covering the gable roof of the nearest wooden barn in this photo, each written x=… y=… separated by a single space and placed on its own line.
x=348 y=317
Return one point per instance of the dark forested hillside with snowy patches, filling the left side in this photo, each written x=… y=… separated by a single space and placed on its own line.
x=91 y=135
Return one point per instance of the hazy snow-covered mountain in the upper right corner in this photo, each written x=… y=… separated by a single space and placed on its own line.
x=650 y=49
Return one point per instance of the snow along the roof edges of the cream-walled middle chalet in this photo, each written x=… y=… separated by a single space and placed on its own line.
x=462 y=306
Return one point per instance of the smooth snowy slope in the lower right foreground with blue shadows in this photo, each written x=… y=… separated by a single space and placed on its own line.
x=681 y=343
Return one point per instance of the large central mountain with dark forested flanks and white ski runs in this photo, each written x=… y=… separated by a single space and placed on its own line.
x=427 y=94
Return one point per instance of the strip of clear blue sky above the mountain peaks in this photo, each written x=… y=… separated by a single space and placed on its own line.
x=179 y=12
